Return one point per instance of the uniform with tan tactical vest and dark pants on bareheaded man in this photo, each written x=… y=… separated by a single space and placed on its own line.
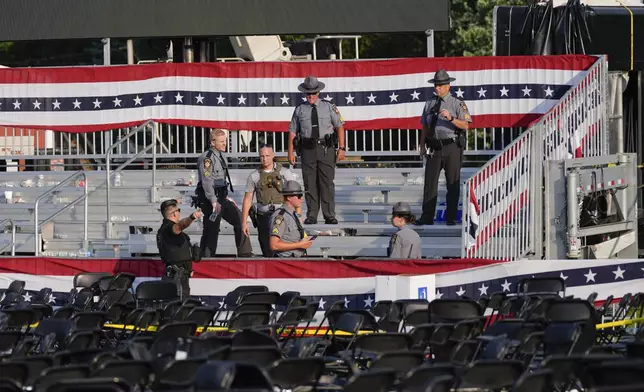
x=266 y=186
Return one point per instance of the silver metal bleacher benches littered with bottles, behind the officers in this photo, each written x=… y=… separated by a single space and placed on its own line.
x=363 y=205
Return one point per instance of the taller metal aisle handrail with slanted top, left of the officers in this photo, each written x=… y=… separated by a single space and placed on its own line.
x=109 y=172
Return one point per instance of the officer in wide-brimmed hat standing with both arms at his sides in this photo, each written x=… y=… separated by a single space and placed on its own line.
x=312 y=128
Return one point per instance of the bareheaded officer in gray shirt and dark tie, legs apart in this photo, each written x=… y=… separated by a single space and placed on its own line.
x=212 y=196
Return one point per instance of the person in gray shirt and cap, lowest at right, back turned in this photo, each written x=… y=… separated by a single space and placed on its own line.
x=405 y=243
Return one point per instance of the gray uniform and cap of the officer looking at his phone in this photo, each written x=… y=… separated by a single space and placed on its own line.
x=285 y=223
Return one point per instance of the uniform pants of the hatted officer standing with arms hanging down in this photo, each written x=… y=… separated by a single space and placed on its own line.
x=318 y=170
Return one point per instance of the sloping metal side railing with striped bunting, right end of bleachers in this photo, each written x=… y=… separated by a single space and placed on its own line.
x=509 y=188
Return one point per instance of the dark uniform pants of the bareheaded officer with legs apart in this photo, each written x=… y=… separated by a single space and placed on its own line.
x=231 y=214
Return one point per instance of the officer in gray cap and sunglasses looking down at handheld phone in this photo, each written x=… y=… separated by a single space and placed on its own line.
x=288 y=238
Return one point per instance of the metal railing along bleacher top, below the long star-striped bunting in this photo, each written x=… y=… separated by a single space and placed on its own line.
x=88 y=150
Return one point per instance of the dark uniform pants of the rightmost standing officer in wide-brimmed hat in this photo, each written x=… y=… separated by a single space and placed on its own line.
x=450 y=158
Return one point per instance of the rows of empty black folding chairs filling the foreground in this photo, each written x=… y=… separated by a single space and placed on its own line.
x=113 y=336
